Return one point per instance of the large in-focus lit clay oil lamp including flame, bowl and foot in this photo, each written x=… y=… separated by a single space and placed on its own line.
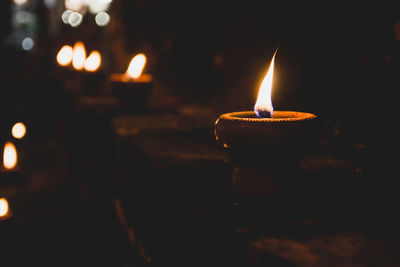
x=265 y=144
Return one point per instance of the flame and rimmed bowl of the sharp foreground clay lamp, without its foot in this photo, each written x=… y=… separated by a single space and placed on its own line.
x=263 y=126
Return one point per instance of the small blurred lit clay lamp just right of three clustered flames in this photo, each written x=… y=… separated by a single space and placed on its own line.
x=133 y=86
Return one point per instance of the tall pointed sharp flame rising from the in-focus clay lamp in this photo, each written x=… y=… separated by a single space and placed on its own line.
x=263 y=107
